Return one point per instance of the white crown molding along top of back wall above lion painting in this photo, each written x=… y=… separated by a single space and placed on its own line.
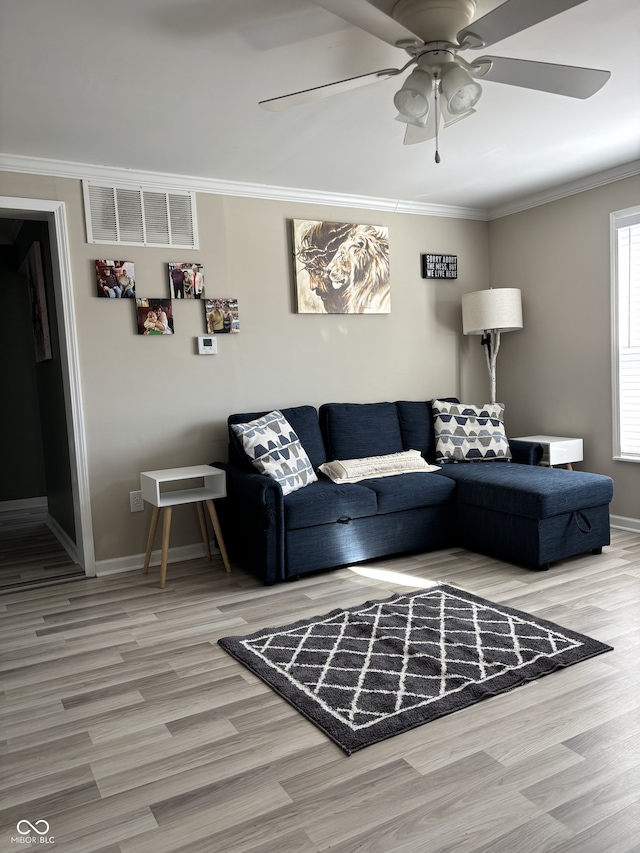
x=112 y=175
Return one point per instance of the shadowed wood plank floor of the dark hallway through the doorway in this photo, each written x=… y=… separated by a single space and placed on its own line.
x=30 y=555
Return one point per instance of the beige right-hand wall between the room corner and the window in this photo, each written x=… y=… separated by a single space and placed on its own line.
x=555 y=374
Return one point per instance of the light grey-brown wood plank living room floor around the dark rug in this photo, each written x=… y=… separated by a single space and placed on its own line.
x=129 y=730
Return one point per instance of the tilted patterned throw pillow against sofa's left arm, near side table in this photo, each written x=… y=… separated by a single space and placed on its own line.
x=273 y=447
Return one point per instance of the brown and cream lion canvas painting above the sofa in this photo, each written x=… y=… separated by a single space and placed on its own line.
x=341 y=268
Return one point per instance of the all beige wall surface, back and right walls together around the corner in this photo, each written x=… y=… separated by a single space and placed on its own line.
x=152 y=403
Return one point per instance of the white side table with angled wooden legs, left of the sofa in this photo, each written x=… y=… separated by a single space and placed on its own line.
x=167 y=488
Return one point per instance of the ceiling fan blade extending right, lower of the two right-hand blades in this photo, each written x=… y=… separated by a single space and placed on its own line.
x=569 y=80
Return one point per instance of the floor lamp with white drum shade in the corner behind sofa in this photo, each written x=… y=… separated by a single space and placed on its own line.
x=488 y=313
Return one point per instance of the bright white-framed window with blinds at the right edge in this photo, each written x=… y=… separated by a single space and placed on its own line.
x=625 y=288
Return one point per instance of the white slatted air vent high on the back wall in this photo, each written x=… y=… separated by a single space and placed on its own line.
x=139 y=216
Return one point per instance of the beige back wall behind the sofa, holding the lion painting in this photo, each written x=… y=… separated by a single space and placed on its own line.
x=152 y=403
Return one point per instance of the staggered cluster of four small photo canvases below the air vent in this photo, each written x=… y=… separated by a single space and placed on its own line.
x=155 y=315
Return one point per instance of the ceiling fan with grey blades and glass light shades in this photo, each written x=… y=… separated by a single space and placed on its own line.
x=443 y=87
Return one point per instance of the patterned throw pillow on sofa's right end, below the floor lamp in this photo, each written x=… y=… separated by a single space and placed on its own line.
x=467 y=433
